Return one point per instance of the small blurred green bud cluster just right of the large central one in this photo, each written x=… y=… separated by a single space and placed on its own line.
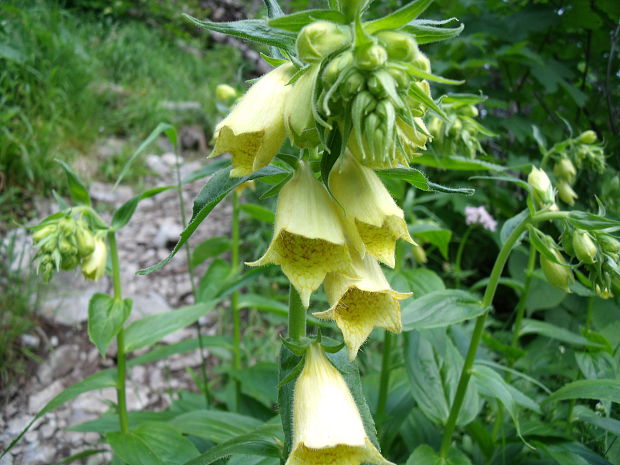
x=460 y=134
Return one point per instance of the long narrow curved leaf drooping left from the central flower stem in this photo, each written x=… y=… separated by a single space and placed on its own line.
x=211 y=194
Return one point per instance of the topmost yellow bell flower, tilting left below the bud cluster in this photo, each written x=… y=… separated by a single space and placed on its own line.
x=254 y=131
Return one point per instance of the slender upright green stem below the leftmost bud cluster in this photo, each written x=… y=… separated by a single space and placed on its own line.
x=121 y=397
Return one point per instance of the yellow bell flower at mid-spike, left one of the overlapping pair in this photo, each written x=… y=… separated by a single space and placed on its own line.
x=309 y=239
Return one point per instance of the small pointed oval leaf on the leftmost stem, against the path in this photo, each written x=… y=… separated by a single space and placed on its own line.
x=106 y=317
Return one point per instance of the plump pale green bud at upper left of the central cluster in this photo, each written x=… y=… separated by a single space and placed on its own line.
x=321 y=38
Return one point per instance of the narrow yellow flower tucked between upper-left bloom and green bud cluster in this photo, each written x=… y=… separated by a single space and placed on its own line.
x=298 y=117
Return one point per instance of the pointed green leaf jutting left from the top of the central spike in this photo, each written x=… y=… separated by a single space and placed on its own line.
x=256 y=30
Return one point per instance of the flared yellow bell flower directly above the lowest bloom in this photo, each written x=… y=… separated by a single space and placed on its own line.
x=359 y=305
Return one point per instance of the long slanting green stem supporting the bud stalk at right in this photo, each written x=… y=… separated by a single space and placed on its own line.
x=489 y=293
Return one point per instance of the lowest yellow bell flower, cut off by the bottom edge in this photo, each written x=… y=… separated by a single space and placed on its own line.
x=327 y=426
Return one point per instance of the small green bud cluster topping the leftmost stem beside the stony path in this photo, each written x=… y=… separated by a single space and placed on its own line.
x=66 y=243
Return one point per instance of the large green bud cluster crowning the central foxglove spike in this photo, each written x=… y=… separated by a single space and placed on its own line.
x=369 y=86
